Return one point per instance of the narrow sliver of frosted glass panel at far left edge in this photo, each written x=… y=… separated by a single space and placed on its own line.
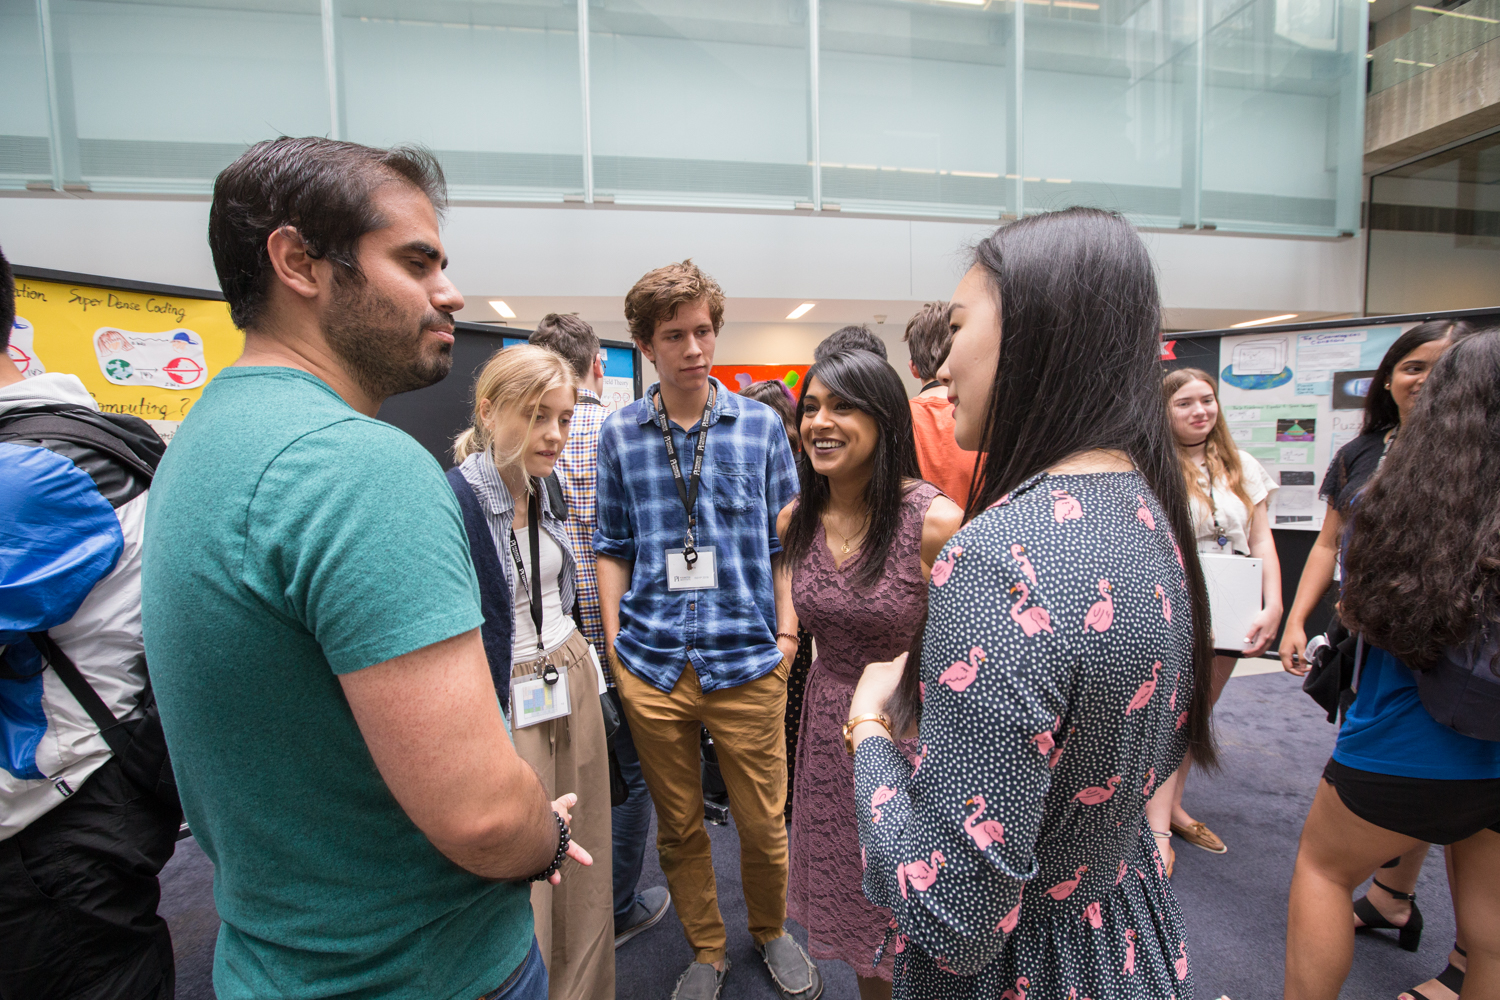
x=25 y=131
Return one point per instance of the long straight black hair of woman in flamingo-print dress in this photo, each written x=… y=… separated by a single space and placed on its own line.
x=1081 y=370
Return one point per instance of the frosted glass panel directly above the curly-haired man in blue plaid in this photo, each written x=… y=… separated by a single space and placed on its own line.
x=701 y=103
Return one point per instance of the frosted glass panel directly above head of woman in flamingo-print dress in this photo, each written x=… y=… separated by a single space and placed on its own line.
x=1109 y=110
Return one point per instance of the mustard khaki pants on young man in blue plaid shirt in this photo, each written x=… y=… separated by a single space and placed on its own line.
x=751 y=738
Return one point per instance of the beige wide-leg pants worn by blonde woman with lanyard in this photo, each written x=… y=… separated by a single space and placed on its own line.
x=577 y=920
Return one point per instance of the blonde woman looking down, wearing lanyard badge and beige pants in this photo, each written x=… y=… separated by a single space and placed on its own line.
x=523 y=409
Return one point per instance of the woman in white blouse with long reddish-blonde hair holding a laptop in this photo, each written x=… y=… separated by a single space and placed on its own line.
x=1229 y=493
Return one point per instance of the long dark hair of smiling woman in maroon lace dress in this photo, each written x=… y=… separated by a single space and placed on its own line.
x=869 y=385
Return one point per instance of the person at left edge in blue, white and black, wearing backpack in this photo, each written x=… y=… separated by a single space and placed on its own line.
x=89 y=812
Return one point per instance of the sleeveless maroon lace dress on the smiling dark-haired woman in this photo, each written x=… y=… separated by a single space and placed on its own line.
x=854 y=626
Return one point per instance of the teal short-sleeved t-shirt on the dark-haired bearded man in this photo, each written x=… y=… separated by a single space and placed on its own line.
x=292 y=540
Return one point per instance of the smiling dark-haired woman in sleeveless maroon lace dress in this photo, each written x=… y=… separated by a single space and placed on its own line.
x=860 y=543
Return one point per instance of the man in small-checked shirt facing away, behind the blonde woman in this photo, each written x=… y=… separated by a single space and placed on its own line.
x=578 y=473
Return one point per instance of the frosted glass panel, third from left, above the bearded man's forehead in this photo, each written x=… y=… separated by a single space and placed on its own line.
x=491 y=88
